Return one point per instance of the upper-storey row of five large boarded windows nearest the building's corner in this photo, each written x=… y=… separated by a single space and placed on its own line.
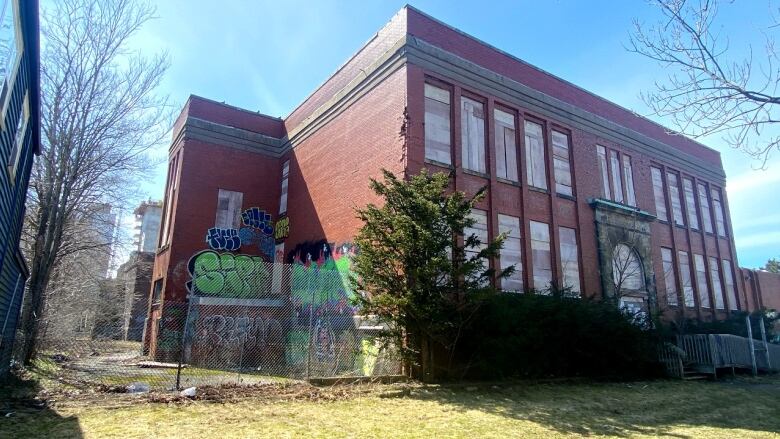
x=438 y=141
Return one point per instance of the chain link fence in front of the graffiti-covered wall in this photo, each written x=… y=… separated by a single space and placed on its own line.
x=244 y=321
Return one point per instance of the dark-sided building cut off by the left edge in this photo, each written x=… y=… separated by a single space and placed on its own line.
x=19 y=141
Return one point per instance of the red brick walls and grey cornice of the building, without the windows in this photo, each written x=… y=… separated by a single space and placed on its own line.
x=371 y=115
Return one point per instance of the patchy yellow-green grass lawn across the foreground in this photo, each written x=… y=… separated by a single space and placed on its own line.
x=734 y=408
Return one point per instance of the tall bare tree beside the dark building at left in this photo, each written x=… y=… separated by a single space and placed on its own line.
x=100 y=118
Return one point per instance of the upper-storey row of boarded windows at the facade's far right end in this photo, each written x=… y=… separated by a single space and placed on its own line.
x=696 y=201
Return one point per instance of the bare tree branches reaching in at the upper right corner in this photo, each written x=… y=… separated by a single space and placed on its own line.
x=706 y=92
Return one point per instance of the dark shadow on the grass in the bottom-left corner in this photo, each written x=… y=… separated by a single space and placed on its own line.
x=24 y=415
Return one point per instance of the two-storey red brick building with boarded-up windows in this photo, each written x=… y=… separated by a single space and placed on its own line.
x=581 y=183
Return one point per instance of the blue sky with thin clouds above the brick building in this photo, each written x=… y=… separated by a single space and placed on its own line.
x=269 y=55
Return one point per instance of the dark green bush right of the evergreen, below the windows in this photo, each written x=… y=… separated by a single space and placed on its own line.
x=532 y=335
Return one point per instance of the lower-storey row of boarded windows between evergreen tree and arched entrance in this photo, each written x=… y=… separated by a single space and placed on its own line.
x=541 y=257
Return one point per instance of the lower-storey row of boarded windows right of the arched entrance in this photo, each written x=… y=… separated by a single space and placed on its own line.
x=700 y=274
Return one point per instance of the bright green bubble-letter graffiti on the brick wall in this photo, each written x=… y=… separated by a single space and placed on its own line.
x=228 y=275
